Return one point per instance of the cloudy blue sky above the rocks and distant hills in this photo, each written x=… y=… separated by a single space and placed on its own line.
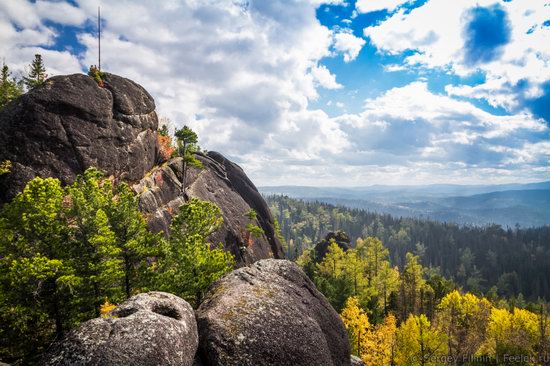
x=324 y=92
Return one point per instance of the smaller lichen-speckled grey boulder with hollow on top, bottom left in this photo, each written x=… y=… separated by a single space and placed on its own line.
x=148 y=329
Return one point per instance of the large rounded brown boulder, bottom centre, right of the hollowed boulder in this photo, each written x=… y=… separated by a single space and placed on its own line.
x=270 y=314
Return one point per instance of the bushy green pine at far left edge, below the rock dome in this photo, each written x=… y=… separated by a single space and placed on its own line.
x=37 y=276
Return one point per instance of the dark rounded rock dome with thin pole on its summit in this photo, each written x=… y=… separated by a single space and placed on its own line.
x=70 y=124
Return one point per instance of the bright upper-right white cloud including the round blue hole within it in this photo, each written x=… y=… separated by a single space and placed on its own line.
x=463 y=37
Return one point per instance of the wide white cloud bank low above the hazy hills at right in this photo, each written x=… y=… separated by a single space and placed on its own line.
x=411 y=131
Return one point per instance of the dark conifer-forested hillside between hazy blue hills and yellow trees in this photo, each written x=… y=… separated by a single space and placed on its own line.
x=514 y=262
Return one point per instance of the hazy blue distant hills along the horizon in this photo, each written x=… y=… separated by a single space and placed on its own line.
x=507 y=205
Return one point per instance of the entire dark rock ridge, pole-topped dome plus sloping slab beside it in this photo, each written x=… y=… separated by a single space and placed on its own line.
x=71 y=123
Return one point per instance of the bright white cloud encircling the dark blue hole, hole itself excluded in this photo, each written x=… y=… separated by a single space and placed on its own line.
x=435 y=32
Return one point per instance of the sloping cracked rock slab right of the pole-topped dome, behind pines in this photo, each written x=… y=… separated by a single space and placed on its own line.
x=223 y=183
